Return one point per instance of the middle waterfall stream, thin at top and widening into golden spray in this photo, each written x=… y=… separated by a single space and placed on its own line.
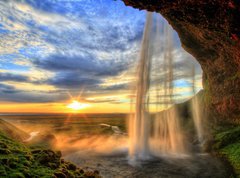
x=167 y=138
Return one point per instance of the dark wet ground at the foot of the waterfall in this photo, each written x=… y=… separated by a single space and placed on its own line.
x=202 y=165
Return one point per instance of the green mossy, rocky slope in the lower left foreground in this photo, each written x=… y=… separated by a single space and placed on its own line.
x=19 y=161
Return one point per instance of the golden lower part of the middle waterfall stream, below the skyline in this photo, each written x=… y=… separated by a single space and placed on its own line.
x=168 y=138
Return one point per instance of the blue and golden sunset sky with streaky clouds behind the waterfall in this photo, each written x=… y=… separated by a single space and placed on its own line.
x=55 y=51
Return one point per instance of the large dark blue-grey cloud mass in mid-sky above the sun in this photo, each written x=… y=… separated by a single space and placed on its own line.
x=82 y=70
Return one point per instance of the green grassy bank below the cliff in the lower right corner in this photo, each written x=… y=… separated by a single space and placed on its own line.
x=227 y=145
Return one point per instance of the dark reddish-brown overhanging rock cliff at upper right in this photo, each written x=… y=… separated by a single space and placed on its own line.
x=210 y=31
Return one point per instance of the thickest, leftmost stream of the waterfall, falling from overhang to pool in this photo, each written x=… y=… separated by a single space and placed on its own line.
x=140 y=121
